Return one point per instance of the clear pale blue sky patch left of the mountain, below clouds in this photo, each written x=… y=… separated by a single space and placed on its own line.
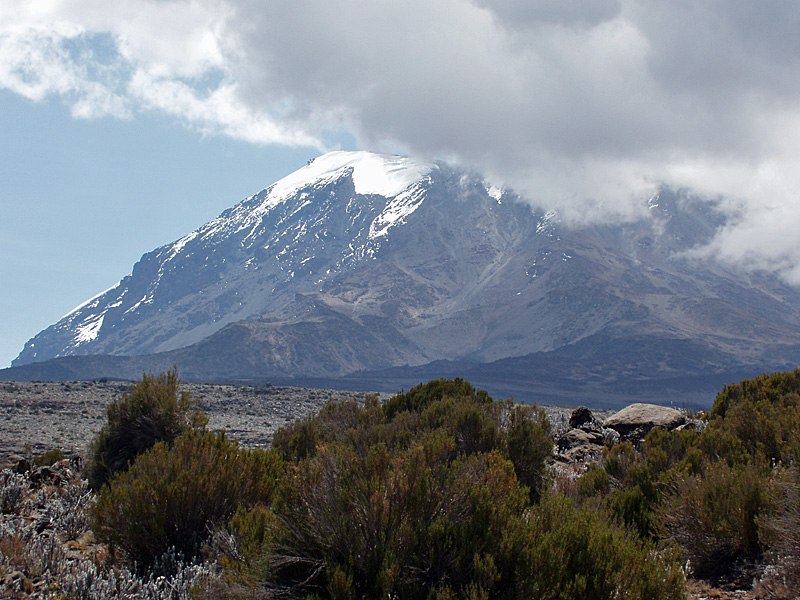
x=82 y=200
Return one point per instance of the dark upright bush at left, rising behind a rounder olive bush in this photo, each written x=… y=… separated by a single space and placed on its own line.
x=152 y=411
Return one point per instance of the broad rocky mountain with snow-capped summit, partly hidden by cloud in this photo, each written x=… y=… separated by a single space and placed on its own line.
x=365 y=266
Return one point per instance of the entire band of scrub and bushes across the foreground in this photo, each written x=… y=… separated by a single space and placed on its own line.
x=438 y=493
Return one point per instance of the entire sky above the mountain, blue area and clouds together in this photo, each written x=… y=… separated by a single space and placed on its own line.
x=125 y=125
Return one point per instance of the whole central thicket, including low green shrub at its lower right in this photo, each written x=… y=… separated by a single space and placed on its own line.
x=433 y=496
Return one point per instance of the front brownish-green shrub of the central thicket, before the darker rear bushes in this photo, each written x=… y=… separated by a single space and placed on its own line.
x=397 y=525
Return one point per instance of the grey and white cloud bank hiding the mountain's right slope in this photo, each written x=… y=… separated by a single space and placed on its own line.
x=583 y=106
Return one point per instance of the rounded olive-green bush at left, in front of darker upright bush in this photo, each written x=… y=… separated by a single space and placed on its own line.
x=172 y=495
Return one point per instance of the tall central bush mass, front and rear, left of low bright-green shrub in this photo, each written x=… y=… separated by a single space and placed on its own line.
x=411 y=499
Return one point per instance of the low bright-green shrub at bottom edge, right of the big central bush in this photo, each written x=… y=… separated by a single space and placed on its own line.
x=570 y=552
